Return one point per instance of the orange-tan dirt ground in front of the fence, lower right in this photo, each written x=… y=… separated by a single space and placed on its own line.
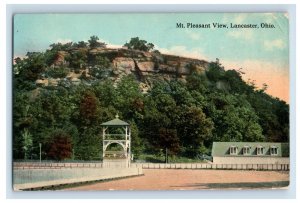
x=183 y=179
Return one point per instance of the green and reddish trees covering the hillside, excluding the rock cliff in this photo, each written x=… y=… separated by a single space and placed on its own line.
x=184 y=117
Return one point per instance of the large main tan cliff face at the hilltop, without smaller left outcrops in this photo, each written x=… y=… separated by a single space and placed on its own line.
x=146 y=65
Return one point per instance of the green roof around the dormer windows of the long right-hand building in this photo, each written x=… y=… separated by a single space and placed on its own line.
x=221 y=149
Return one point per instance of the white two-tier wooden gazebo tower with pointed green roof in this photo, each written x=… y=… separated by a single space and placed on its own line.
x=116 y=136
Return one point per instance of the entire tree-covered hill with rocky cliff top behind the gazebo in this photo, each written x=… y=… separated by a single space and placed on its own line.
x=62 y=95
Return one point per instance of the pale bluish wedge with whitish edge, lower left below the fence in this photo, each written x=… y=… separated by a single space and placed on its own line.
x=37 y=179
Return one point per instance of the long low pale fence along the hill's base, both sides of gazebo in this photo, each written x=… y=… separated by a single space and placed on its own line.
x=271 y=167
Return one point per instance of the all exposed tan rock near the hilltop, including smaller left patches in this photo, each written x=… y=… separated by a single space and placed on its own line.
x=147 y=66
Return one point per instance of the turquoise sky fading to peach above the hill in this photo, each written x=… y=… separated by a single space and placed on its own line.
x=262 y=53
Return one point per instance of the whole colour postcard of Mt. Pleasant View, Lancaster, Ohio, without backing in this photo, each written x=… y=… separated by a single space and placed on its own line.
x=151 y=101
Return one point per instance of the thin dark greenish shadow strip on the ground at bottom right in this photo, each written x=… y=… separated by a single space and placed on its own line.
x=246 y=185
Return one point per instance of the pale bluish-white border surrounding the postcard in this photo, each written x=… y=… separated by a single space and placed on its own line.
x=6 y=87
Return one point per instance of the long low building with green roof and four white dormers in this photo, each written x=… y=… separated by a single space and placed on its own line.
x=250 y=153
